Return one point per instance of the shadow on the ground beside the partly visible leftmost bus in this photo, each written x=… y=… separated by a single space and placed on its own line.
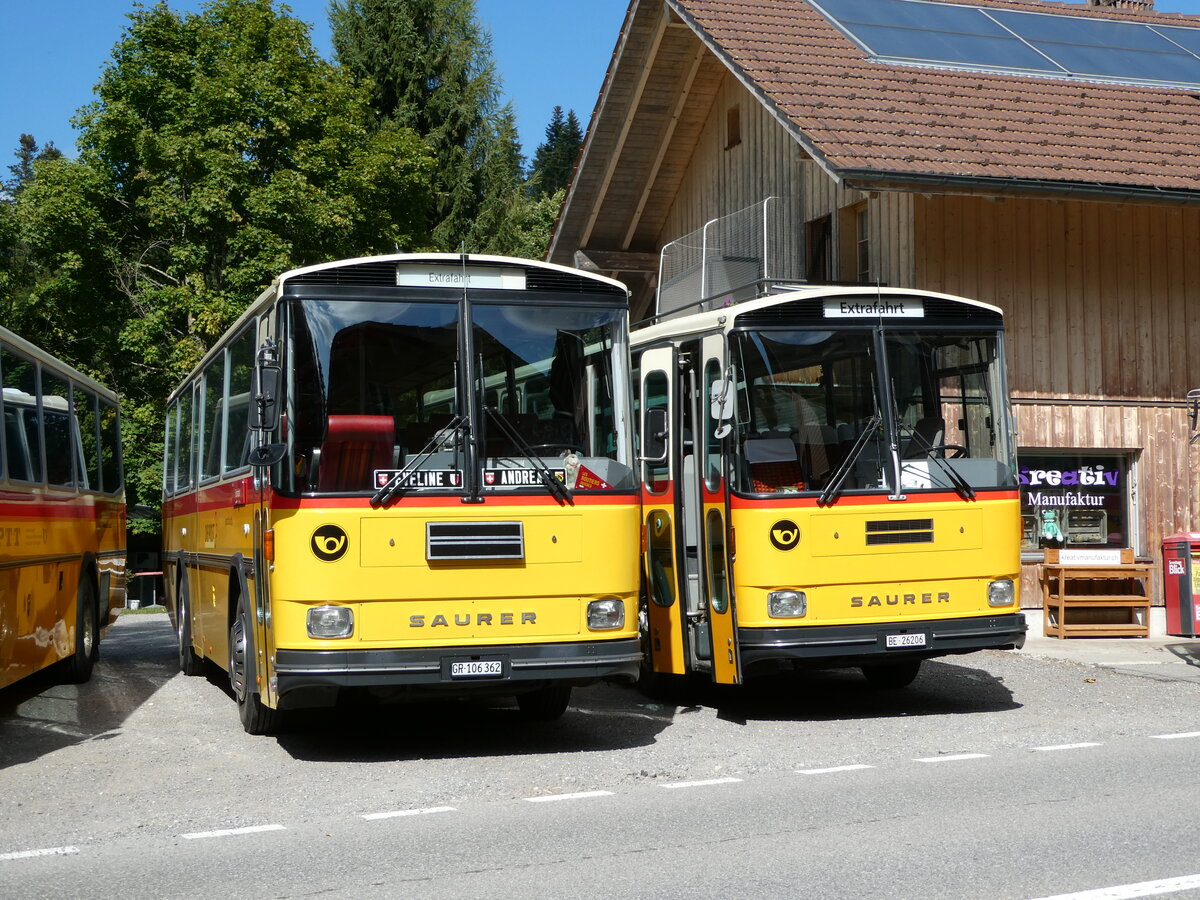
x=41 y=715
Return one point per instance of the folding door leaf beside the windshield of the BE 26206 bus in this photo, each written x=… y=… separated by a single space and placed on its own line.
x=713 y=490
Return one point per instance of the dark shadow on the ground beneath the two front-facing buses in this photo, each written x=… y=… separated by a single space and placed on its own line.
x=616 y=717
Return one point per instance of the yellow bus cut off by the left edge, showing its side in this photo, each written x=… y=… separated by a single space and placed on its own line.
x=62 y=514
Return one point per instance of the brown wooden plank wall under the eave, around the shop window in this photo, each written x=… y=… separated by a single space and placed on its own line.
x=1103 y=313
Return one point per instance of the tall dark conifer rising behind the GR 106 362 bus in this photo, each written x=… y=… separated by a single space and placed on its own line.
x=428 y=64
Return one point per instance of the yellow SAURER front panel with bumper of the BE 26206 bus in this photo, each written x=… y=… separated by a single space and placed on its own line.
x=872 y=571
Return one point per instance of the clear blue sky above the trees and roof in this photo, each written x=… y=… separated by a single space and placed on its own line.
x=549 y=53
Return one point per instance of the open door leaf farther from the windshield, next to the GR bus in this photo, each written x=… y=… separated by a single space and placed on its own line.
x=659 y=433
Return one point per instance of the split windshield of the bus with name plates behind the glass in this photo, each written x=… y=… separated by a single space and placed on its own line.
x=376 y=389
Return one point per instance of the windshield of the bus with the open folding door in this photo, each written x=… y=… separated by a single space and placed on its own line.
x=861 y=410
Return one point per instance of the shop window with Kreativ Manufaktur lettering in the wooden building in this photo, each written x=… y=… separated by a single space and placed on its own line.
x=1077 y=500
